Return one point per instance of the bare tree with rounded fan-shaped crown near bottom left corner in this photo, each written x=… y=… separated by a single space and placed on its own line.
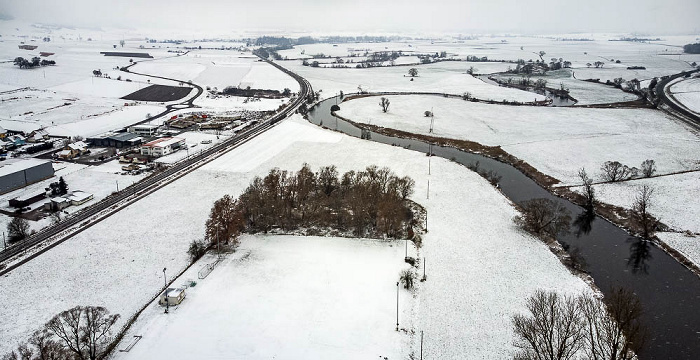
x=84 y=330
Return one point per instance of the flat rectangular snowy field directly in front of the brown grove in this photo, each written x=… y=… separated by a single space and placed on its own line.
x=286 y=297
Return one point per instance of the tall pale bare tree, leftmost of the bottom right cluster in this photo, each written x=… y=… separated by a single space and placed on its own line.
x=553 y=329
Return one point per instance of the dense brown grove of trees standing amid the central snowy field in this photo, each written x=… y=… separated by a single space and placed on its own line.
x=370 y=203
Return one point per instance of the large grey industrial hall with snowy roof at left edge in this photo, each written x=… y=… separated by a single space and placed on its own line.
x=16 y=173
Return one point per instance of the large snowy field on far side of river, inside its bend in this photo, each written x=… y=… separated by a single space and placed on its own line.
x=557 y=141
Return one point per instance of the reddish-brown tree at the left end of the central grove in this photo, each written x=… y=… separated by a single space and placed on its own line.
x=225 y=222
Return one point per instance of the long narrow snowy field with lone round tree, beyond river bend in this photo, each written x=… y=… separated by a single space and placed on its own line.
x=445 y=77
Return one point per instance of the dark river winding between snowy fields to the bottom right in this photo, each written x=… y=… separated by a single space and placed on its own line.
x=669 y=292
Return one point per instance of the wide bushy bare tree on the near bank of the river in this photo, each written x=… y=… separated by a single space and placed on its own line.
x=544 y=217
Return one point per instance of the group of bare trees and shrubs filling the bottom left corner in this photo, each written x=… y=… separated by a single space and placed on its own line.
x=83 y=333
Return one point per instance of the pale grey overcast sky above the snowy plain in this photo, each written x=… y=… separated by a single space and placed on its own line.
x=673 y=17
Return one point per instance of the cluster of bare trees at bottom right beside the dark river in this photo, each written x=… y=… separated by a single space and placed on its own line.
x=566 y=327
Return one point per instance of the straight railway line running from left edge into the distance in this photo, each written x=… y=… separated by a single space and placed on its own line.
x=110 y=205
